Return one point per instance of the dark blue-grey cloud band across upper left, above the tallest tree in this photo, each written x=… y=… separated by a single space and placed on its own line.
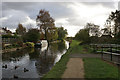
x=57 y=9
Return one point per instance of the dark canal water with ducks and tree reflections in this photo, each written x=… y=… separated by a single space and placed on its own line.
x=32 y=62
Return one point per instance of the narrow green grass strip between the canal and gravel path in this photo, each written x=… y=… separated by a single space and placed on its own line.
x=59 y=68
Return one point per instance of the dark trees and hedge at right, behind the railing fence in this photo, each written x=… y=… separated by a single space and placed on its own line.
x=109 y=34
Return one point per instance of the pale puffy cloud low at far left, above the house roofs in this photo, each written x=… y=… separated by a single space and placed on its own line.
x=16 y=17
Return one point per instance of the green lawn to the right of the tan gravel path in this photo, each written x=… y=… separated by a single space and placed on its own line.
x=96 y=68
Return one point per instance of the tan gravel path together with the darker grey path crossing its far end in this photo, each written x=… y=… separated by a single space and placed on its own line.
x=75 y=66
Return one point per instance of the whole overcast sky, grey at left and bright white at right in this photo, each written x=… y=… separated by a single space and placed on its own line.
x=71 y=15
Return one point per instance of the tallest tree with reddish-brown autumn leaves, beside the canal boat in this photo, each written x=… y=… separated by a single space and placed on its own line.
x=45 y=21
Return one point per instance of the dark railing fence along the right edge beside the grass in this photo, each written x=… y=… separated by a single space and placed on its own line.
x=109 y=52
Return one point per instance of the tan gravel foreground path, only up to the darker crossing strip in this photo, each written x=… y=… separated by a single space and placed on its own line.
x=75 y=69
